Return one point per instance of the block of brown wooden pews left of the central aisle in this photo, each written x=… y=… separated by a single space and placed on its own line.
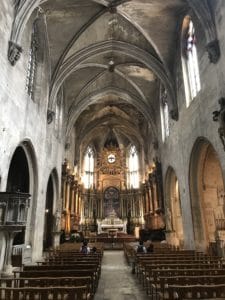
x=64 y=274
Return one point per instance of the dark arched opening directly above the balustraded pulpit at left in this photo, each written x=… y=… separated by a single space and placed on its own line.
x=18 y=177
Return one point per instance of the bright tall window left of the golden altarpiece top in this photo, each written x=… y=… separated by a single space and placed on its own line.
x=88 y=179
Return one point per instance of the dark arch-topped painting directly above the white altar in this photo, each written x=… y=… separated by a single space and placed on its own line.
x=111 y=202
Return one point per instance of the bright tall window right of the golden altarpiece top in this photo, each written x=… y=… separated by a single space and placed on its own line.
x=133 y=166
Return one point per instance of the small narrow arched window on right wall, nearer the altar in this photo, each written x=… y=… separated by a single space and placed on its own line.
x=164 y=112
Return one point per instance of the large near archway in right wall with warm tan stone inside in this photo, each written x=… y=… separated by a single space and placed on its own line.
x=207 y=193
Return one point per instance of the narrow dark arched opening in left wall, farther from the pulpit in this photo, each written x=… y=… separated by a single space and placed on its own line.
x=47 y=242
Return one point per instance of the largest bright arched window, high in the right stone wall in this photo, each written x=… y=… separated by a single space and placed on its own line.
x=190 y=66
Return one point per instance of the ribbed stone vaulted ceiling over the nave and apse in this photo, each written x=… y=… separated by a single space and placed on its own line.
x=110 y=58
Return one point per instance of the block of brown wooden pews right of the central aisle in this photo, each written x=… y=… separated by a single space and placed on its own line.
x=179 y=274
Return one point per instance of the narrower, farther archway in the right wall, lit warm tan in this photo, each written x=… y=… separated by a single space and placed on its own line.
x=174 y=223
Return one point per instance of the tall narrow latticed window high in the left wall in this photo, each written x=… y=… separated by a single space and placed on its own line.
x=32 y=64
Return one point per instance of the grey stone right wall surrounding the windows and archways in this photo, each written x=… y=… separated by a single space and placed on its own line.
x=196 y=120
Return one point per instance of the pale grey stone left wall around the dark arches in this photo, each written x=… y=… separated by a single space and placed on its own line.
x=23 y=121
